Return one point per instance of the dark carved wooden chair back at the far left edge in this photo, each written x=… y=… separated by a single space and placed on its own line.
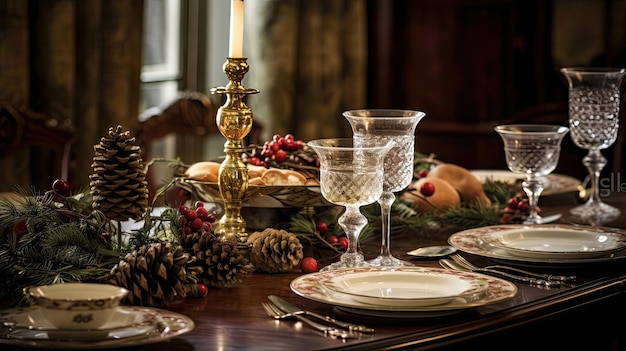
x=48 y=140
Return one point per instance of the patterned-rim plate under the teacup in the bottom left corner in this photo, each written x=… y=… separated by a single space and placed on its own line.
x=130 y=326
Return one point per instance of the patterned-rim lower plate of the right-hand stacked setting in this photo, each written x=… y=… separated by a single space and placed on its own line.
x=473 y=241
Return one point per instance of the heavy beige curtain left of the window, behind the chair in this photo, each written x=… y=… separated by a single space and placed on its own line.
x=78 y=61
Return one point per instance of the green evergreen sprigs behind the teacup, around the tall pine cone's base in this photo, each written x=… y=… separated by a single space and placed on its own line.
x=48 y=239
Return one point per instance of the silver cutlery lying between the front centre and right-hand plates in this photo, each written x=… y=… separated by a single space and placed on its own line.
x=547 y=281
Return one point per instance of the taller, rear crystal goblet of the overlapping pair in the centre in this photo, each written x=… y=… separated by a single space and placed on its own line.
x=399 y=126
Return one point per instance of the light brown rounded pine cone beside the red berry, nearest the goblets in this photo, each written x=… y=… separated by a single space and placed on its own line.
x=275 y=250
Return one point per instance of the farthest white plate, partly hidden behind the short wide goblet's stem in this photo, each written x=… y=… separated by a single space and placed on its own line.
x=554 y=183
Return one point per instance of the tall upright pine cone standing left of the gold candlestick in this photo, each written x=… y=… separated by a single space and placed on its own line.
x=118 y=184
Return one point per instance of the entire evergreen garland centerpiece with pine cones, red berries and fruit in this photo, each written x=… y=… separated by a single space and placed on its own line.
x=56 y=236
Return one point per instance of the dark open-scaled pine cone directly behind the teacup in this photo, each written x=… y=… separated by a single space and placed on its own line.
x=155 y=274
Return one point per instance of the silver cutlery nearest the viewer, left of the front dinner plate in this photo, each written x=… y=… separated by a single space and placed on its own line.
x=280 y=309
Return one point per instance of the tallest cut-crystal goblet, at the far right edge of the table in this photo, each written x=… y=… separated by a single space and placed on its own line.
x=594 y=97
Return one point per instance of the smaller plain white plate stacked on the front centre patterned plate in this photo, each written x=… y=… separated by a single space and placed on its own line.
x=411 y=289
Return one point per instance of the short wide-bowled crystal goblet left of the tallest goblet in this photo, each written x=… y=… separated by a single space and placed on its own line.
x=532 y=150
